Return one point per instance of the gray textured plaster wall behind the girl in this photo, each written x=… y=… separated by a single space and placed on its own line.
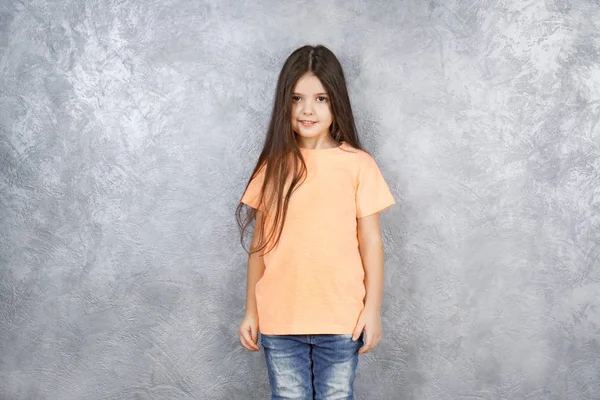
x=128 y=129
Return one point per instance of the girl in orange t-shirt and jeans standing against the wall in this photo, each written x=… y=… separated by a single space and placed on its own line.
x=315 y=266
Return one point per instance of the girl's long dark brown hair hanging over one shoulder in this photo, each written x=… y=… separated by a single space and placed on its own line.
x=280 y=151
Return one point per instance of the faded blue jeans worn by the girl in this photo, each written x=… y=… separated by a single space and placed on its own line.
x=311 y=367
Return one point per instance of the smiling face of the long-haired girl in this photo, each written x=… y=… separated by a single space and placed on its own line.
x=310 y=102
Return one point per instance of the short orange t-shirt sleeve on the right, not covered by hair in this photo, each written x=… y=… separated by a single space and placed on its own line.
x=372 y=192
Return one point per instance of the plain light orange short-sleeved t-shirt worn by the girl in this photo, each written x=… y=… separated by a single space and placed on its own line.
x=314 y=278
